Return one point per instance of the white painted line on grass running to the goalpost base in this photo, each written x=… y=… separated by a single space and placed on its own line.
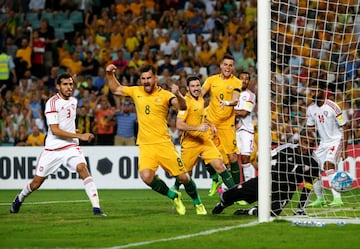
x=187 y=236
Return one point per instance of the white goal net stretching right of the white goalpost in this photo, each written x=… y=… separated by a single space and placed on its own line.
x=313 y=40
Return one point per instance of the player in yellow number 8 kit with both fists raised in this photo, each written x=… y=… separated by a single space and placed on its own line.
x=155 y=147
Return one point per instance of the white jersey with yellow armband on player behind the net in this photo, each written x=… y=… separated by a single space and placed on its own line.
x=328 y=120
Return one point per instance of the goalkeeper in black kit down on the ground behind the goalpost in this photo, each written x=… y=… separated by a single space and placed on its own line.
x=291 y=165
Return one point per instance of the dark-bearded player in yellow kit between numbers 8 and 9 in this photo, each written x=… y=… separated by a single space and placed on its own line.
x=196 y=139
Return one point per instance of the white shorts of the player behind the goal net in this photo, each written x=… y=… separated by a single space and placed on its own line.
x=329 y=152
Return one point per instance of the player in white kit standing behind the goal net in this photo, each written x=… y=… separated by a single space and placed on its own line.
x=327 y=118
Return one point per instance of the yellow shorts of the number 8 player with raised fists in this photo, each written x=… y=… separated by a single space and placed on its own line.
x=151 y=156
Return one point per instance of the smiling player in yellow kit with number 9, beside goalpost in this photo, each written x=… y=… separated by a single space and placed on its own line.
x=224 y=90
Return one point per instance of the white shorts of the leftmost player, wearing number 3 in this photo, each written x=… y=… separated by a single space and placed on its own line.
x=50 y=161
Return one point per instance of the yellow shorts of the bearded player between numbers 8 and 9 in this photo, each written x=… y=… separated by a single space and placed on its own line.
x=206 y=150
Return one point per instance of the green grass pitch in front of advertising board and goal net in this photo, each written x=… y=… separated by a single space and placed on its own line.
x=145 y=219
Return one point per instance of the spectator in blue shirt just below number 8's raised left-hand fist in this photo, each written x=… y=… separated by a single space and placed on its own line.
x=126 y=125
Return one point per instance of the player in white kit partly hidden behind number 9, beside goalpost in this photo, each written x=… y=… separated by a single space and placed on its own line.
x=245 y=126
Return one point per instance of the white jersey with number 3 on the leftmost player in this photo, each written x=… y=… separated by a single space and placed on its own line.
x=62 y=112
